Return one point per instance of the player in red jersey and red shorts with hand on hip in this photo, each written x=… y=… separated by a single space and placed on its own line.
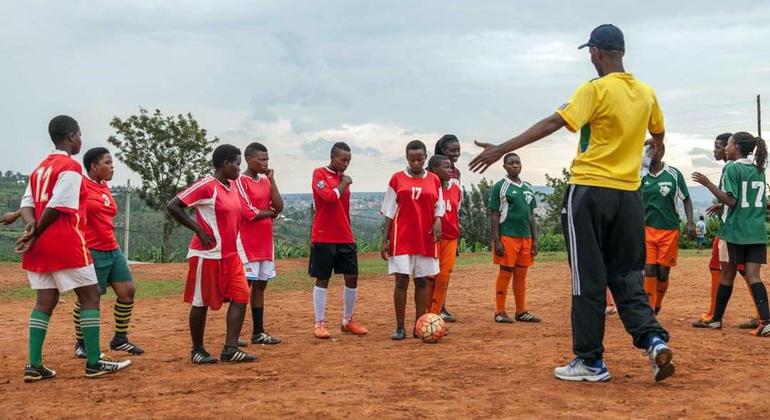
x=215 y=271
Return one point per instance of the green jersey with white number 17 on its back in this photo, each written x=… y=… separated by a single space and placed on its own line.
x=744 y=224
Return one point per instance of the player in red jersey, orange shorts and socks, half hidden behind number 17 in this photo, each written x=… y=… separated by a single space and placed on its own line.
x=450 y=229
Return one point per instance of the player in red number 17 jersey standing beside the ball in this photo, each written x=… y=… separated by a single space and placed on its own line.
x=413 y=206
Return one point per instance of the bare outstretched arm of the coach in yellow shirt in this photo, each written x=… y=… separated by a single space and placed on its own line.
x=493 y=152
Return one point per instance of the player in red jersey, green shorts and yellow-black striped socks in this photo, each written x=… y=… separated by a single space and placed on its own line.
x=110 y=263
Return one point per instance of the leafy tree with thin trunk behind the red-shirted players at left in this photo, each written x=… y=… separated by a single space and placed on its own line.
x=168 y=152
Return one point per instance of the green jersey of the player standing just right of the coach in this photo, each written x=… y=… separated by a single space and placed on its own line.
x=660 y=192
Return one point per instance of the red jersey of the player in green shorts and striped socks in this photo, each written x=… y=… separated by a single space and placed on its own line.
x=101 y=209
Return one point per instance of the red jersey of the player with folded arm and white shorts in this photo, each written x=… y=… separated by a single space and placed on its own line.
x=255 y=238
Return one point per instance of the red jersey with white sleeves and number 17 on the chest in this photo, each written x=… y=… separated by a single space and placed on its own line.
x=413 y=203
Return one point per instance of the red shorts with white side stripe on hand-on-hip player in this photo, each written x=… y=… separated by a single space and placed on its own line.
x=212 y=282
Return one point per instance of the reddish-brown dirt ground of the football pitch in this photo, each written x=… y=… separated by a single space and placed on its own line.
x=481 y=370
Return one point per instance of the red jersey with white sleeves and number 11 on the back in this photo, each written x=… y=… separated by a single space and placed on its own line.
x=57 y=182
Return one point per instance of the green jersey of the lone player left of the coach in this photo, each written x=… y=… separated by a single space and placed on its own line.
x=515 y=203
